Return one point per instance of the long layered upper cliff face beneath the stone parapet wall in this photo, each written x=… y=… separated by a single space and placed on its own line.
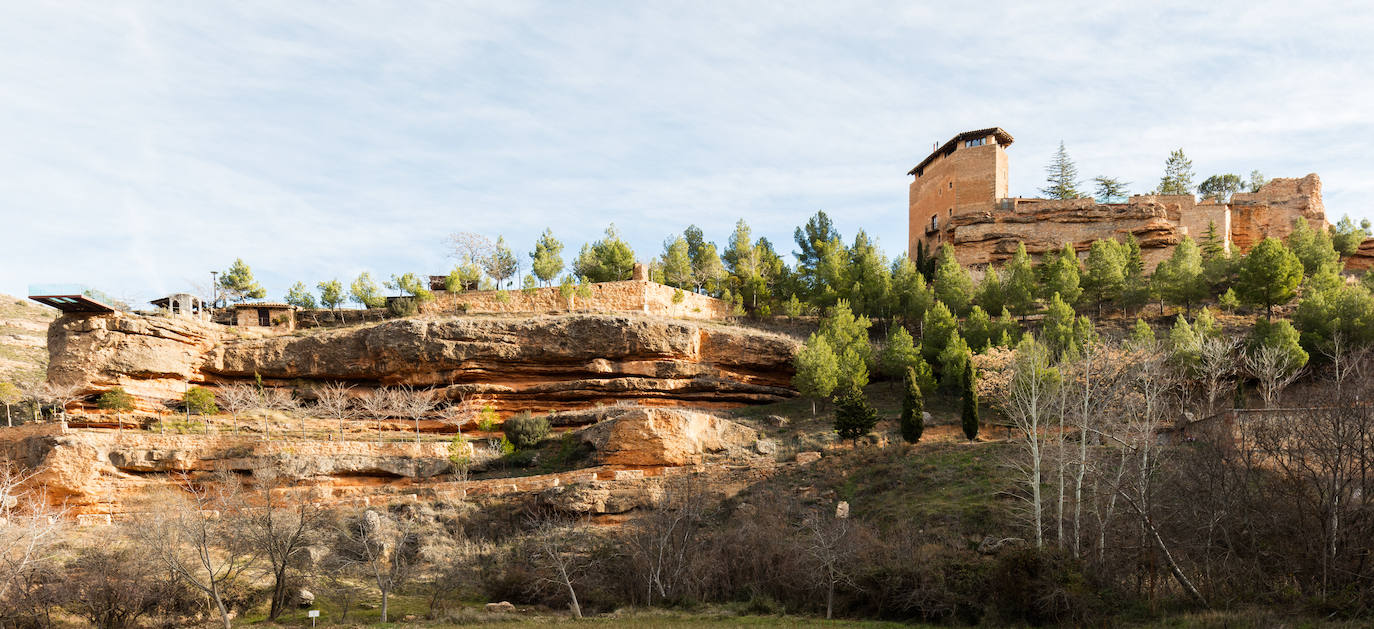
x=543 y=363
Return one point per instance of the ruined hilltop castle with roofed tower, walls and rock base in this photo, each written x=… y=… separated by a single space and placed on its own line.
x=960 y=197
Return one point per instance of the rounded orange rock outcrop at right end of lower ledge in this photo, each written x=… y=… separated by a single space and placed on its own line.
x=664 y=437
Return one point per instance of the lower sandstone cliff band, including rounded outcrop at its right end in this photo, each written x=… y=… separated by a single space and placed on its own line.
x=98 y=473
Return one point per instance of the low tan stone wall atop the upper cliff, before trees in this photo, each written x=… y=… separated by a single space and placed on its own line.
x=631 y=297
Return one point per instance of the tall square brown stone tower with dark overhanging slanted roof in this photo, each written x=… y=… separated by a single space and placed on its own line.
x=968 y=174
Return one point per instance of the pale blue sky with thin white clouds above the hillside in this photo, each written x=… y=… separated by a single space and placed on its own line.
x=145 y=145
